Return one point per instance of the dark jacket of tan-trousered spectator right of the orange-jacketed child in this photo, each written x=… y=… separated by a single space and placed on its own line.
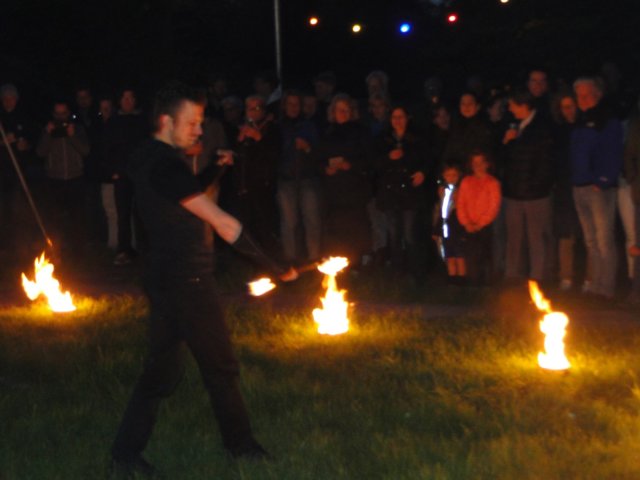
x=528 y=163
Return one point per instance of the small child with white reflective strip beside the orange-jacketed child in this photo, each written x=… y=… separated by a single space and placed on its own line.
x=448 y=232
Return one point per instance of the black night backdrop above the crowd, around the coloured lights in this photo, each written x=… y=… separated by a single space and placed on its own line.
x=51 y=46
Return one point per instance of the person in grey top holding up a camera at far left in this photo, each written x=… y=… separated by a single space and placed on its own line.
x=64 y=145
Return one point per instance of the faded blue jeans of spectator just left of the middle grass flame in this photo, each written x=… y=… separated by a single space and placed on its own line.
x=300 y=200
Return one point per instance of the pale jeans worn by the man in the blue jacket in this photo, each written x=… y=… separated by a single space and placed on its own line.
x=596 y=211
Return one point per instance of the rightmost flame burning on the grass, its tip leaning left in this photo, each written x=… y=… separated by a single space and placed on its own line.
x=553 y=325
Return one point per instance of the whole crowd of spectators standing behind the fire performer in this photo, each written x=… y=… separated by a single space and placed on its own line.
x=498 y=184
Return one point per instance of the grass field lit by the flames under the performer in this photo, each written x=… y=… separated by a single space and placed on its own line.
x=406 y=394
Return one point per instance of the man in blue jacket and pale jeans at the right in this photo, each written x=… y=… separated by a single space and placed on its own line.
x=596 y=161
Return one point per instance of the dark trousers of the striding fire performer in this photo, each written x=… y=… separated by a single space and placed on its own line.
x=185 y=313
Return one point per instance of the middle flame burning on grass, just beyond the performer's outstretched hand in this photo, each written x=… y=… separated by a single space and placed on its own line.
x=332 y=318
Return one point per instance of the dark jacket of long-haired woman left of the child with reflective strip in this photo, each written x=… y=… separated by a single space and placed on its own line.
x=394 y=189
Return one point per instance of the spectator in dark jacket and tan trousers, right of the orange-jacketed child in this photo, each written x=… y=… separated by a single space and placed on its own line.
x=527 y=187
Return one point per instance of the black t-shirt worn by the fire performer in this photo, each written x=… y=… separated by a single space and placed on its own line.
x=181 y=244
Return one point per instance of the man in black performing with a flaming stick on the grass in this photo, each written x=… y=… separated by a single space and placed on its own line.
x=185 y=310
